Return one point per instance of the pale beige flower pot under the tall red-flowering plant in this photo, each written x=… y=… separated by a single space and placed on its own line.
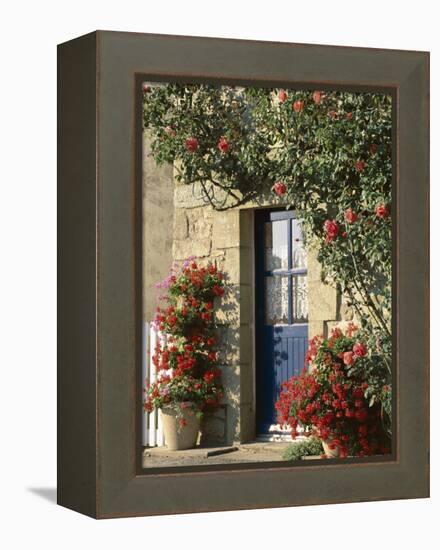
x=179 y=437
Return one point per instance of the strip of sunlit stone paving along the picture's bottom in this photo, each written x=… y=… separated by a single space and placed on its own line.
x=159 y=457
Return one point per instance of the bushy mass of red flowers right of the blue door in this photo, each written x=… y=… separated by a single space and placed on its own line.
x=337 y=396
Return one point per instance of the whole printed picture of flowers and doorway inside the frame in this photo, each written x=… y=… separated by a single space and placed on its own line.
x=267 y=275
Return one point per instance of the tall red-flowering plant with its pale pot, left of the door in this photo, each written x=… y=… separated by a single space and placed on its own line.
x=188 y=376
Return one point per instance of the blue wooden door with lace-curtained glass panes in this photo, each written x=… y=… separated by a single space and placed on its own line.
x=281 y=307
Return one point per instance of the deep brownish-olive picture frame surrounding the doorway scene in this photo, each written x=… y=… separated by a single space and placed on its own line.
x=99 y=274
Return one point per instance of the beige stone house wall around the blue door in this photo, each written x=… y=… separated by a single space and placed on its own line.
x=179 y=224
